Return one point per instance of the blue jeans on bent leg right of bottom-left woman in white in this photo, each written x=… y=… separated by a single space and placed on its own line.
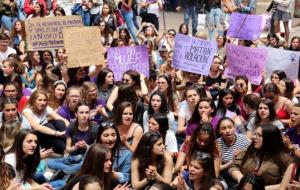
x=70 y=164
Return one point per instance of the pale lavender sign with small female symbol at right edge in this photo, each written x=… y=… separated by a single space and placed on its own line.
x=279 y=59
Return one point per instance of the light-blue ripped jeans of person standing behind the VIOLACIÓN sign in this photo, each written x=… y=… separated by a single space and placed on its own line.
x=214 y=22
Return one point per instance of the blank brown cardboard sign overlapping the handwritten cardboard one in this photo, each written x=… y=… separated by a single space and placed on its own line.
x=84 y=46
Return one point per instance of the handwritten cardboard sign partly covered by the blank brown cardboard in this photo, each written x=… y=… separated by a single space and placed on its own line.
x=46 y=33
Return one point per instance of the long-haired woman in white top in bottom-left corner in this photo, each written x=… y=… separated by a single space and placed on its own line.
x=24 y=157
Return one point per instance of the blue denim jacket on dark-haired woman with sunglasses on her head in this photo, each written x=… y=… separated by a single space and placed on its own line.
x=122 y=165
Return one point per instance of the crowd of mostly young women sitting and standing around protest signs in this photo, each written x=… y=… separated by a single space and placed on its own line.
x=79 y=128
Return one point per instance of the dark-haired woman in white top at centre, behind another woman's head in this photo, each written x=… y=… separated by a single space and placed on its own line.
x=158 y=104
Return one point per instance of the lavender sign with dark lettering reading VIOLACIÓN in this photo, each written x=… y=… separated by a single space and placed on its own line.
x=193 y=54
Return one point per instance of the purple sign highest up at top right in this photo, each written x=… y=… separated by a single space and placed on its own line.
x=244 y=26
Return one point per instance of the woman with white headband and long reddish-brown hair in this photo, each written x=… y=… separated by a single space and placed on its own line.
x=57 y=98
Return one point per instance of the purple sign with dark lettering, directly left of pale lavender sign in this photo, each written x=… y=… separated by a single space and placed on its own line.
x=246 y=61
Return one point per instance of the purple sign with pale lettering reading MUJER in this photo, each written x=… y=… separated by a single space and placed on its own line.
x=121 y=59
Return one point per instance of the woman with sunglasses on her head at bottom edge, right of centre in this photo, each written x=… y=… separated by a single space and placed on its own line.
x=200 y=174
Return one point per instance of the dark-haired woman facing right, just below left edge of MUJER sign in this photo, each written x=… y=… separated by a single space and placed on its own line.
x=105 y=83
